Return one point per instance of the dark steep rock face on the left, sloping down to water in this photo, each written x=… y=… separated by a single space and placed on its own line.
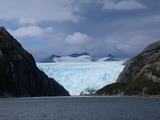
x=19 y=75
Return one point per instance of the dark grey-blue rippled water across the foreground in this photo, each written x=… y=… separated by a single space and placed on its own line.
x=80 y=108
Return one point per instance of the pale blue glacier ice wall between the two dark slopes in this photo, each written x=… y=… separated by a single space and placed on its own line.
x=77 y=77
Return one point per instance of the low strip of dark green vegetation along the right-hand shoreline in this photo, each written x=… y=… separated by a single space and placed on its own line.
x=137 y=87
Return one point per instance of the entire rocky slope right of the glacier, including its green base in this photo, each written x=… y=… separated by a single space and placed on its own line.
x=141 y=74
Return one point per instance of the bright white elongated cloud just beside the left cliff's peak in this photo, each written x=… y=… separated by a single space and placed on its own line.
x=30 y=31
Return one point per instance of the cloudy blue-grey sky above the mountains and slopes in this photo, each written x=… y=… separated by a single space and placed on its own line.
x=61 y=27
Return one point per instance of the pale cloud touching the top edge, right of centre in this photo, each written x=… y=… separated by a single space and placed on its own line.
x=122 y=5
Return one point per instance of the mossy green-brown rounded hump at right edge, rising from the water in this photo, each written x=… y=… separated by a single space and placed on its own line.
x=144 y=84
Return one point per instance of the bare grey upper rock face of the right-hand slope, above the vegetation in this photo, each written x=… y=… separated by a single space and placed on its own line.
x=148 y=62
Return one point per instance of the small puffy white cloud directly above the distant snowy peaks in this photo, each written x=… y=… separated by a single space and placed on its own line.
x=78 y=38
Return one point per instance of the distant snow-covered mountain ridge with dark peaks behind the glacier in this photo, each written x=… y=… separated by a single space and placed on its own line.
x=79 y=57
